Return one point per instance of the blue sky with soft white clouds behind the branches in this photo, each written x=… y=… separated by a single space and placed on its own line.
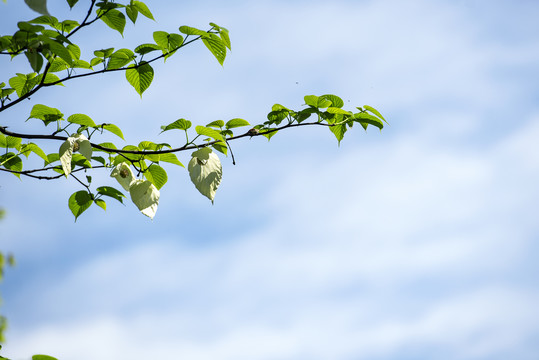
x=419 y=242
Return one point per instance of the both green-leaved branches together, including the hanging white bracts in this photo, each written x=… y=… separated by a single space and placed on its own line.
x=53 y=56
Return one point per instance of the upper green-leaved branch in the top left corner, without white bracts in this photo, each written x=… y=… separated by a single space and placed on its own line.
x=47 y=44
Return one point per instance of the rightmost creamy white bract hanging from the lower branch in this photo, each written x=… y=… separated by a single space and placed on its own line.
x=205 y=171
